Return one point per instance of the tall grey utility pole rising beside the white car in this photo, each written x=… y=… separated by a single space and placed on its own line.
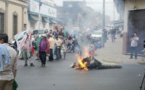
x=103 y=23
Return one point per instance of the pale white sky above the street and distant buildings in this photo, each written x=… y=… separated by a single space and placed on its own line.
x=97 y=5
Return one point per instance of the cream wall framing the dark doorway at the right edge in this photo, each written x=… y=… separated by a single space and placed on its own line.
x=130 y=5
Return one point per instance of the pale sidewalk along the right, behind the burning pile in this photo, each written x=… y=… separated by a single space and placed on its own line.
x=112 y=52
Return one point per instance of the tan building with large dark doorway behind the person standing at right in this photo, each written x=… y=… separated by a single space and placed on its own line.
x=134 y=21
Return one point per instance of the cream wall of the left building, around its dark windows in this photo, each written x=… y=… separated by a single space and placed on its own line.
x=10 y=7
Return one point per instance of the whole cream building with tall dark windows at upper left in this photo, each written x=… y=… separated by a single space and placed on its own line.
x=13 y=16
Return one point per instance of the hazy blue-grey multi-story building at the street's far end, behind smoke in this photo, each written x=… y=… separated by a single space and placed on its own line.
x=71 y=11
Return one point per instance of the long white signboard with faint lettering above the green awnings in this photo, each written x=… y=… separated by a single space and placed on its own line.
x=44 y=10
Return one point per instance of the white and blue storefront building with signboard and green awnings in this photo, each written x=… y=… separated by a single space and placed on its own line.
x=41 y=15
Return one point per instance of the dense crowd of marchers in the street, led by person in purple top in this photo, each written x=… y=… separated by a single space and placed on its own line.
x=53 y=45
